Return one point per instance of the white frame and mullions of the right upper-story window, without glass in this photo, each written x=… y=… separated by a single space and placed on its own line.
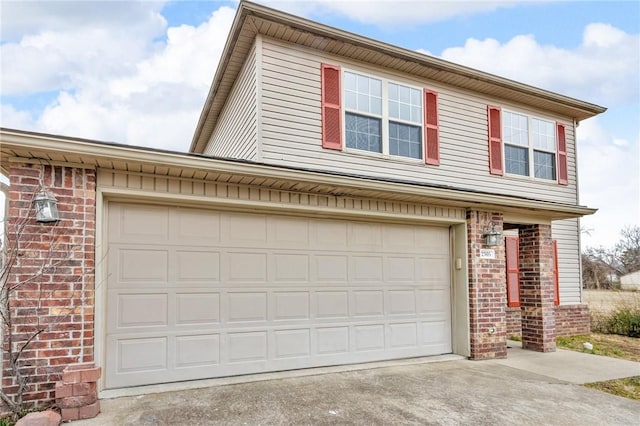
x=530 y=146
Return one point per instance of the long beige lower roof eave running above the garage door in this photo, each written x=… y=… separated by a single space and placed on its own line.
x=94 y=151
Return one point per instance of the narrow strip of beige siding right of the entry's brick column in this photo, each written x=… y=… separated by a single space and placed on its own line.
x=566 y=233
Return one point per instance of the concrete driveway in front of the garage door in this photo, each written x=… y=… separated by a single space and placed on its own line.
x=445 y=393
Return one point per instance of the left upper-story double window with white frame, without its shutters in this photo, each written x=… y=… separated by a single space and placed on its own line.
x=382 y=116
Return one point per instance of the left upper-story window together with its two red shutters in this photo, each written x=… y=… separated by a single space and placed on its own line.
x=378 y=115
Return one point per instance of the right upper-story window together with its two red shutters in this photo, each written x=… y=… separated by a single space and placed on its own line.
x=530 y=146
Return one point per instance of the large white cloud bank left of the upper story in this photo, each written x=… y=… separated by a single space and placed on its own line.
x=129 y=89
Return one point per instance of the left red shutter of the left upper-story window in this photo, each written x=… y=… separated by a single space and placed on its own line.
x=331 y=114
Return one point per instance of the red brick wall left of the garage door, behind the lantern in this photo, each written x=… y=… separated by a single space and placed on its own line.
x=53 y=275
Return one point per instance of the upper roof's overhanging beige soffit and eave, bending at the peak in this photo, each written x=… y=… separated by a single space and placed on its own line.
x=252 y=19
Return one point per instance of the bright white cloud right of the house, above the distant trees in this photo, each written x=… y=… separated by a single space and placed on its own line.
x=609 y=176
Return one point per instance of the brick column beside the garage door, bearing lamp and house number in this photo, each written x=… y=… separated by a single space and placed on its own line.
x=487 y=290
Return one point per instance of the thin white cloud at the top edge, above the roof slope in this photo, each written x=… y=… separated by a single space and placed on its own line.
x=390 y=13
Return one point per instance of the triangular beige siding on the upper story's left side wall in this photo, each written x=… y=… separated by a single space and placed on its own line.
x=235 y=135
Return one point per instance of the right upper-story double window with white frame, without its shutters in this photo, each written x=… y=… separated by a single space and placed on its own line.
x=529 y=146
